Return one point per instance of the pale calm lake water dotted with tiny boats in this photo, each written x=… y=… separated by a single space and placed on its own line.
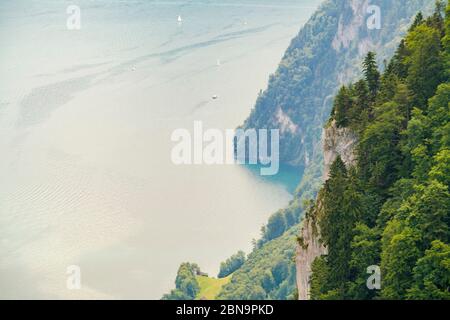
x=85 y=122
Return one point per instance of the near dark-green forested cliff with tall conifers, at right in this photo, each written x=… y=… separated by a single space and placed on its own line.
x=389 y=208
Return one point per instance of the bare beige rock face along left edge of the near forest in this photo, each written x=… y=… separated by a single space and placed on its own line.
x=336 y=141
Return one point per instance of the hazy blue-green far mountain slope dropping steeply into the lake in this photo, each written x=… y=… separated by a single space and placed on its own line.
x=324 y=55
